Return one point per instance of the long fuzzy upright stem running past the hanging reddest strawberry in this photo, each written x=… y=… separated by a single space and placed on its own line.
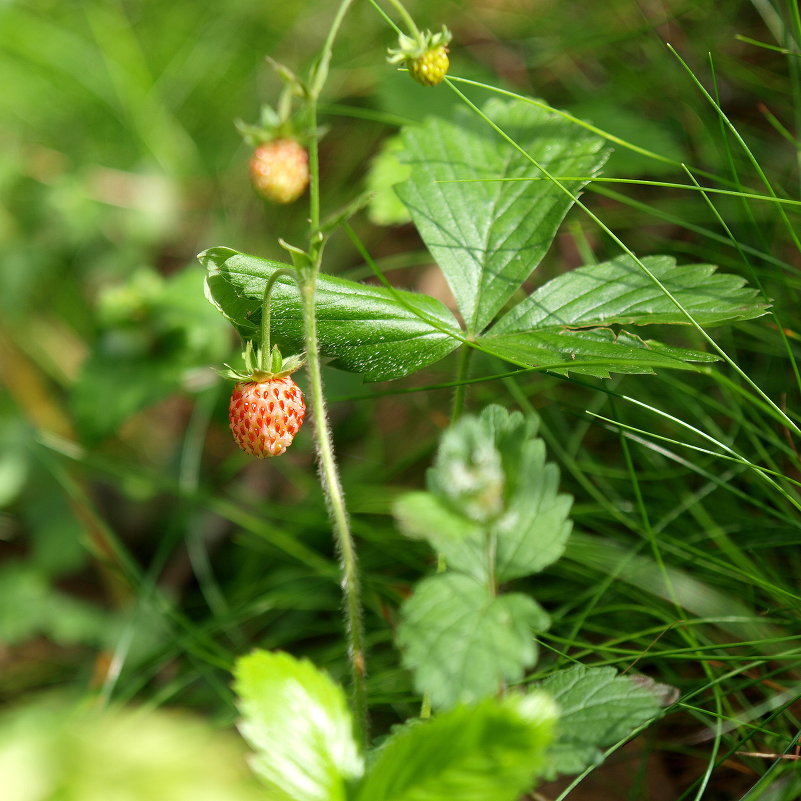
x=329 y=473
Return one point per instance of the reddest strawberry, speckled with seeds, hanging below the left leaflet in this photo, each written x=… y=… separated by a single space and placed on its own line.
x=266 y=415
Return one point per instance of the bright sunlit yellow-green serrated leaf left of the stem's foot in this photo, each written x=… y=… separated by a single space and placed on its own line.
x=297 y=721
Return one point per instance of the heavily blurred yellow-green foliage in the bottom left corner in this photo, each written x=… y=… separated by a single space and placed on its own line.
x=50 y=751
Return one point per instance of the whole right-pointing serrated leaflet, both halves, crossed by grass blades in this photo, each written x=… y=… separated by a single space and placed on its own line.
x=547 y=326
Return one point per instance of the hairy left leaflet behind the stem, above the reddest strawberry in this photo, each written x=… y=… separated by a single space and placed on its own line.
x=379 y=332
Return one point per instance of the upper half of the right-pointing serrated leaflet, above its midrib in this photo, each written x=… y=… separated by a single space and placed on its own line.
x=619 y=292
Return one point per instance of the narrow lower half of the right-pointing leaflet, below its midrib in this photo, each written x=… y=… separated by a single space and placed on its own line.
x=597 y=352
